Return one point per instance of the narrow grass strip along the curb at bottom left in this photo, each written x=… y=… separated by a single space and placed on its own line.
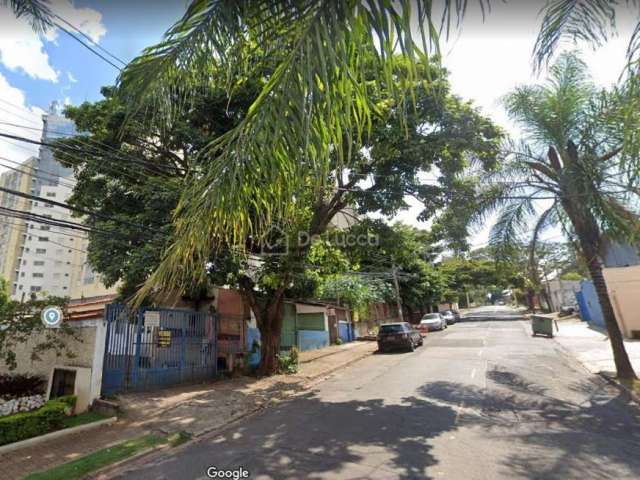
x=94 y=461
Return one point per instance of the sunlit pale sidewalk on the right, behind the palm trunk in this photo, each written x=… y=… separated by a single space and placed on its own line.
x=591 y=347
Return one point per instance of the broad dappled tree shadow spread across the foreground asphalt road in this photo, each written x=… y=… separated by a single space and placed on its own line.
x=309 y=437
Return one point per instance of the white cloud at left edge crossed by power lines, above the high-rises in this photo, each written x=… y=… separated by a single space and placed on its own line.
x=14 y=109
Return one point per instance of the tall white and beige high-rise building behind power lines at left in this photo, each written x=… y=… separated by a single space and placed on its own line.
x=37 y=258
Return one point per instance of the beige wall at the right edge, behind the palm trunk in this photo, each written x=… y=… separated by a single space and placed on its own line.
x=623 y=284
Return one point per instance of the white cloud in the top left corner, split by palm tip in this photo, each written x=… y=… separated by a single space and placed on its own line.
x=22 y=49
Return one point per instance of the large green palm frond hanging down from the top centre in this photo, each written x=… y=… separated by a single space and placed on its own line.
x=320 y=60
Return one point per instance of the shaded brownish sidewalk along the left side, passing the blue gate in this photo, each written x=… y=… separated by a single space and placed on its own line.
x=194 y=409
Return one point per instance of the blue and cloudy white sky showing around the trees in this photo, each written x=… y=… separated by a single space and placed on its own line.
x=486 y=58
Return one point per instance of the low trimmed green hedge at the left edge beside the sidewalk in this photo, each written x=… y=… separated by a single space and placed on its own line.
x=45 y=419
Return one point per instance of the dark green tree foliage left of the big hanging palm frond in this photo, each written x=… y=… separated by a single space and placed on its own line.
x=137 y=207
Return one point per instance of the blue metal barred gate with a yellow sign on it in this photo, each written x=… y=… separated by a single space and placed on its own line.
x=151 y=348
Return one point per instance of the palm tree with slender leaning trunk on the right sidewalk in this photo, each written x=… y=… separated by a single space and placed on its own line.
x=578 y=168
